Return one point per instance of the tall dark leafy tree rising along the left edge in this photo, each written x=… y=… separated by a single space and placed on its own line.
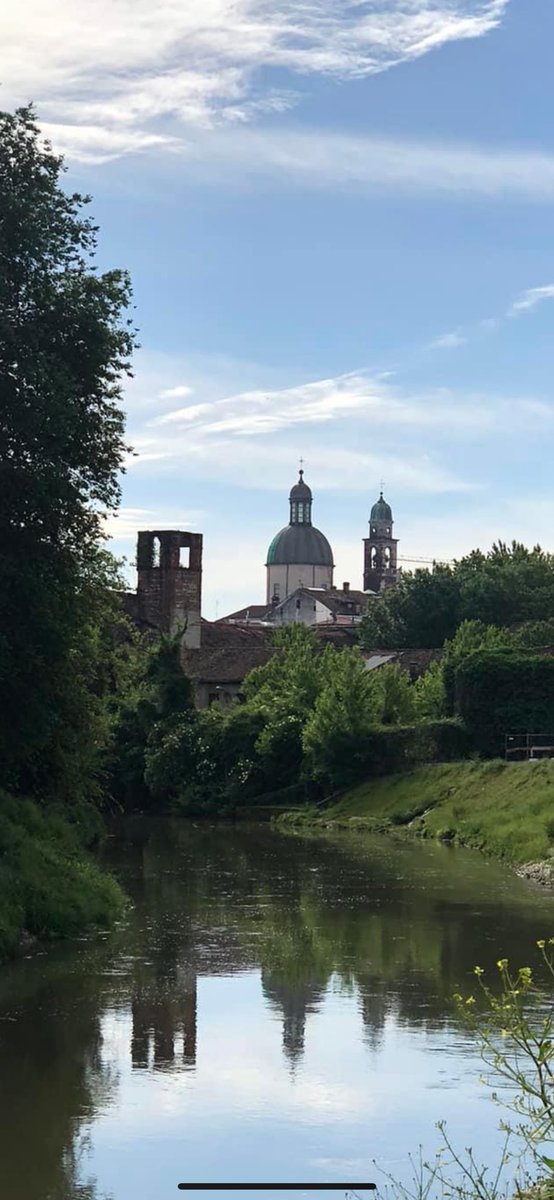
x=65 y=344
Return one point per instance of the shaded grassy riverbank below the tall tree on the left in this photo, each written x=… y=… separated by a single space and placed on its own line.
x=50 y=886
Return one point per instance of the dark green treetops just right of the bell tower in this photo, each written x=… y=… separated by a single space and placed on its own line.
x=504 y=587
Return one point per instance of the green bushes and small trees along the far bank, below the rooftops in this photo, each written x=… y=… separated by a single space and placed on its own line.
x=311 y=718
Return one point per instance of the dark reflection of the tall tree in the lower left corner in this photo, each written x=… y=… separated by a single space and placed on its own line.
x=53 y=1079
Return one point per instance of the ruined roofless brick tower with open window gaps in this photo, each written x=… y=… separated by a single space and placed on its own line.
x=170 y=581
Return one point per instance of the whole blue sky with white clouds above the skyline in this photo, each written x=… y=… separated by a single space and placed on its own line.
x=339 y=220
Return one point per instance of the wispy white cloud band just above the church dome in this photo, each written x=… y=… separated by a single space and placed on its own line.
x=351 y=428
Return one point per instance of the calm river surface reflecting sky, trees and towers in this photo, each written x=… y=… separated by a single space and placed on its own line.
x=273 y=1009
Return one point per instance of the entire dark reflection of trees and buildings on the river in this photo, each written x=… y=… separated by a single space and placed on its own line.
x=401 y=928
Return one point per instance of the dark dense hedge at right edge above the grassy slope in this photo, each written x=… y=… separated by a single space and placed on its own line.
x=499 y=693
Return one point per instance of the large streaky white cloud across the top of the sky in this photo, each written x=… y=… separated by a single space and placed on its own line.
x=112 y=75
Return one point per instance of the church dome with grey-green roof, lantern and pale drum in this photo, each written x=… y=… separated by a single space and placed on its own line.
x=299 y=556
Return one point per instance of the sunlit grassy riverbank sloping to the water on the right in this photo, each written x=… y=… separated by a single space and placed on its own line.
x=505 y=811
